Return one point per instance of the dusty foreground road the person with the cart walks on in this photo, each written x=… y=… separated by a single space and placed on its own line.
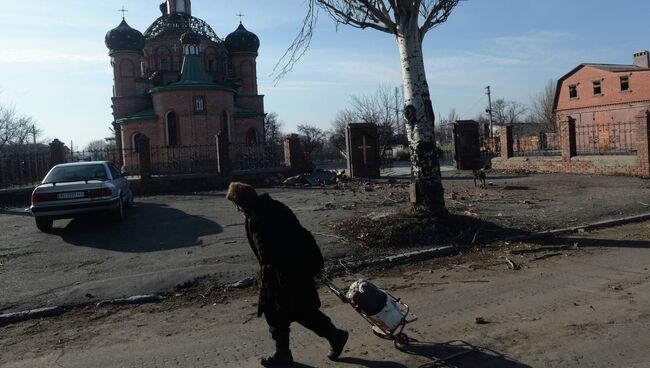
x=586 y=307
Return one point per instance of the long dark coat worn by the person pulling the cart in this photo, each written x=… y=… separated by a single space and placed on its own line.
x=278 y=240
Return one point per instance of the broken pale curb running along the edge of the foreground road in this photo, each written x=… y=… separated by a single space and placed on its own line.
x=6 y=319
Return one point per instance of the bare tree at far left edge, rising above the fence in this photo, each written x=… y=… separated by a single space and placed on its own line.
x=16 y=130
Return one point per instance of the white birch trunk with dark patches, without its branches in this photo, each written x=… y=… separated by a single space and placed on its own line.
x=426 y=186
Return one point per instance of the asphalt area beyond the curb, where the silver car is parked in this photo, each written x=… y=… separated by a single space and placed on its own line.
x=168 y=240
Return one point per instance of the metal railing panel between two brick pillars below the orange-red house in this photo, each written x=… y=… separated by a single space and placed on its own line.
x=606 y=139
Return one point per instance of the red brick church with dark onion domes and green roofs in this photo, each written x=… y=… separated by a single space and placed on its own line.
x=180 y=85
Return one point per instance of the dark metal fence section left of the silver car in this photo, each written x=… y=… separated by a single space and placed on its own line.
x=23 y=168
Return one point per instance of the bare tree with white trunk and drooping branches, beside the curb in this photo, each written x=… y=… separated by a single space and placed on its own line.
x=408 y=21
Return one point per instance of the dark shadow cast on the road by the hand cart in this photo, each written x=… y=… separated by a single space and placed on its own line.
x=459 y=354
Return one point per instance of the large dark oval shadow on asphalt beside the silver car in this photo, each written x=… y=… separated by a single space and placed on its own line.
x=148 y=227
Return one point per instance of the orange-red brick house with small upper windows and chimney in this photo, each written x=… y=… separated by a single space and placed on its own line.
x=604 y=93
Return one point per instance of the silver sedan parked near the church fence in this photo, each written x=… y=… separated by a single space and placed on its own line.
x=75 y=189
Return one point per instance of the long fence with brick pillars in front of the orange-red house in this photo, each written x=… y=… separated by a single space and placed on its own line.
x=601 y=148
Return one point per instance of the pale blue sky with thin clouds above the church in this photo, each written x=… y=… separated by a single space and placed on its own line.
x=55 y=67
